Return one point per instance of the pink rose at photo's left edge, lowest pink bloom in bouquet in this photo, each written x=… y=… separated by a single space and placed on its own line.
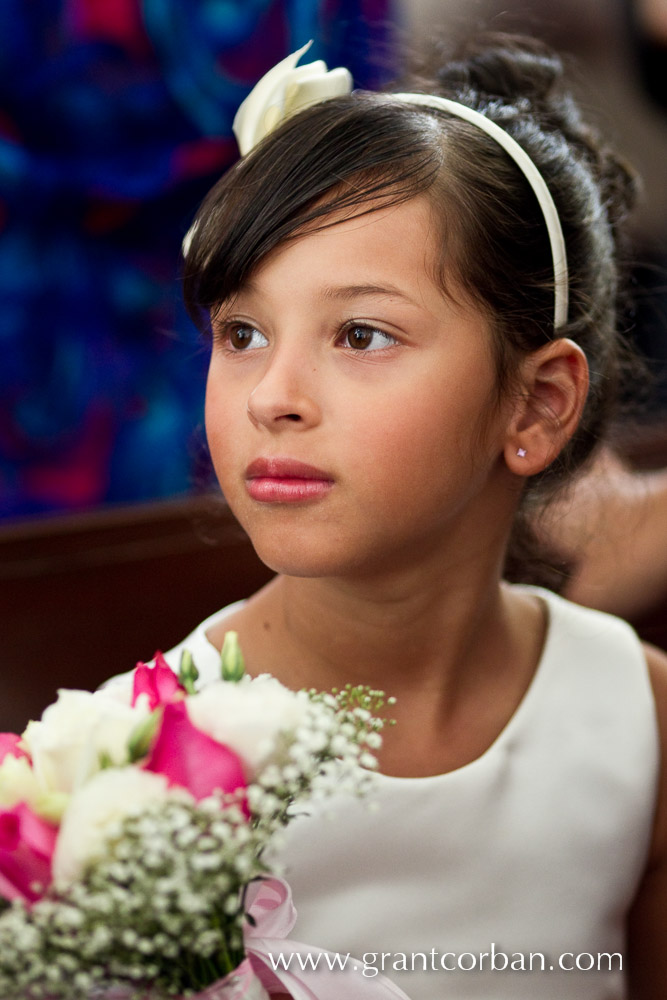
x=27 y=843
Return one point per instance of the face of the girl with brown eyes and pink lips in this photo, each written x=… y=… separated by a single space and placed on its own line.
x=350 y=406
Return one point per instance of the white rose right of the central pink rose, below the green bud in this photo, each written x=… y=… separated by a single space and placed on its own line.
x=249 y=716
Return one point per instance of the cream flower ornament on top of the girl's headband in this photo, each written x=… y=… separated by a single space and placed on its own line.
x=284 y=90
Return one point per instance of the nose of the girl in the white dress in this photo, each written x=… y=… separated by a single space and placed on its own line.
x=285 y=396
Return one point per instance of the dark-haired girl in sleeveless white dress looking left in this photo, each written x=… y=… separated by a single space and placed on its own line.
x=413 y=316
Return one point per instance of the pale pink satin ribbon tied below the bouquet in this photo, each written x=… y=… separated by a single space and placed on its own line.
x=272 y=911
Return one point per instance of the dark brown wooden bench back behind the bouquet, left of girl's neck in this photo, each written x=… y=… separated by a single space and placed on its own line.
x=84 y=597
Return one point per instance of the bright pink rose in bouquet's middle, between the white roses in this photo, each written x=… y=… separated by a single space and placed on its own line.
x=191 y=759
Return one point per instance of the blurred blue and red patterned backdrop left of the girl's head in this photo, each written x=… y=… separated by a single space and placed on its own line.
x=115 y=119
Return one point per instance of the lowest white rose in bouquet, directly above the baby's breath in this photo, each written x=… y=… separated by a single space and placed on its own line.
x=96 y=807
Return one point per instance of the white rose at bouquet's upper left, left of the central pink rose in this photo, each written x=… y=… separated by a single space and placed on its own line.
x=67 y=744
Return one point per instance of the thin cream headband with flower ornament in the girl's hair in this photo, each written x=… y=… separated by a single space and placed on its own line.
x=288 y=88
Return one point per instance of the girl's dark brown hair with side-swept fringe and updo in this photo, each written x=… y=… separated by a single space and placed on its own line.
x=355 y=153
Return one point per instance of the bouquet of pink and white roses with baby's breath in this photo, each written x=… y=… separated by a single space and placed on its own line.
x=134 y=823
